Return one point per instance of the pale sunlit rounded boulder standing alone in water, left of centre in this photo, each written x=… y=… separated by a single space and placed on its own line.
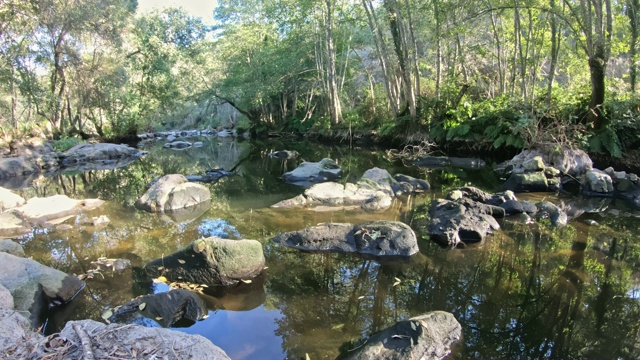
x=173 y=192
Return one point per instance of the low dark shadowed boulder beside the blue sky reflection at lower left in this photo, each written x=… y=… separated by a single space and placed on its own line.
x=169 y=309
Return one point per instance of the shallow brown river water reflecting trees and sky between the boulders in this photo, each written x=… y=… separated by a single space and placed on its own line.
x=528 y=291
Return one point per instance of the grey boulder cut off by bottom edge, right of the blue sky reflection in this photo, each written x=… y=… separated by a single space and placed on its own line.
x=426 y=337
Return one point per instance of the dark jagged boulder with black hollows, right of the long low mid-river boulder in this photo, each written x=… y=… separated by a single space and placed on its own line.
x=453 y=223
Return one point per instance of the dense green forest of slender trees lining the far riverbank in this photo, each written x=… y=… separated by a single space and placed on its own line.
x=489 y=73
